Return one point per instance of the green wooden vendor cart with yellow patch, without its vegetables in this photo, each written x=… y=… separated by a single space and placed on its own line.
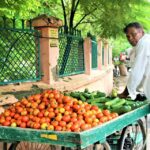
x=79 y=140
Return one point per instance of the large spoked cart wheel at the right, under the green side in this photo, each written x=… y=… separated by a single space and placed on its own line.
x=133 y=137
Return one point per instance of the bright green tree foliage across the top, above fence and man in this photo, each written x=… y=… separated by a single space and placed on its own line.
x=100 y=17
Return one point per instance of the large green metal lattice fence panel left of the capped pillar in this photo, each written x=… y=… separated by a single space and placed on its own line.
x=19 y=52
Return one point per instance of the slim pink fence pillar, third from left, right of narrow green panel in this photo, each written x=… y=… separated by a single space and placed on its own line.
x=99 y=50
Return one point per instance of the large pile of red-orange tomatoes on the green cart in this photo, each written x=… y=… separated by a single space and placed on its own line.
x=51 y=110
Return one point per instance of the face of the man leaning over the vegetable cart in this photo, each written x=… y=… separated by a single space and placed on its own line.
x=133 y=35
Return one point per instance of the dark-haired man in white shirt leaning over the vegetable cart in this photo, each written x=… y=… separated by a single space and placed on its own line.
x=140 y=73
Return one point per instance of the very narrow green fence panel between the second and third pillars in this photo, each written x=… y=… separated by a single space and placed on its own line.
x=94 y=54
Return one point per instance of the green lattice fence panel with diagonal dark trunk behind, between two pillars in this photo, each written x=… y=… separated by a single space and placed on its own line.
x=71 y=54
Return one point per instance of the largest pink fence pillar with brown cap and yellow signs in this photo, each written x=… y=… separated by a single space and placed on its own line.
x=49 y=49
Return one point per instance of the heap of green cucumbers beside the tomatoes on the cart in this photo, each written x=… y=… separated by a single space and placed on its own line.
x=114 y=104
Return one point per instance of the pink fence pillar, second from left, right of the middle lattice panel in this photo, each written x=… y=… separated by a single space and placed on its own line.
x=88 y=55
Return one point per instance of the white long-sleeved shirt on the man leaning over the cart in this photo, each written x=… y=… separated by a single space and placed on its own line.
x=140 y=72
